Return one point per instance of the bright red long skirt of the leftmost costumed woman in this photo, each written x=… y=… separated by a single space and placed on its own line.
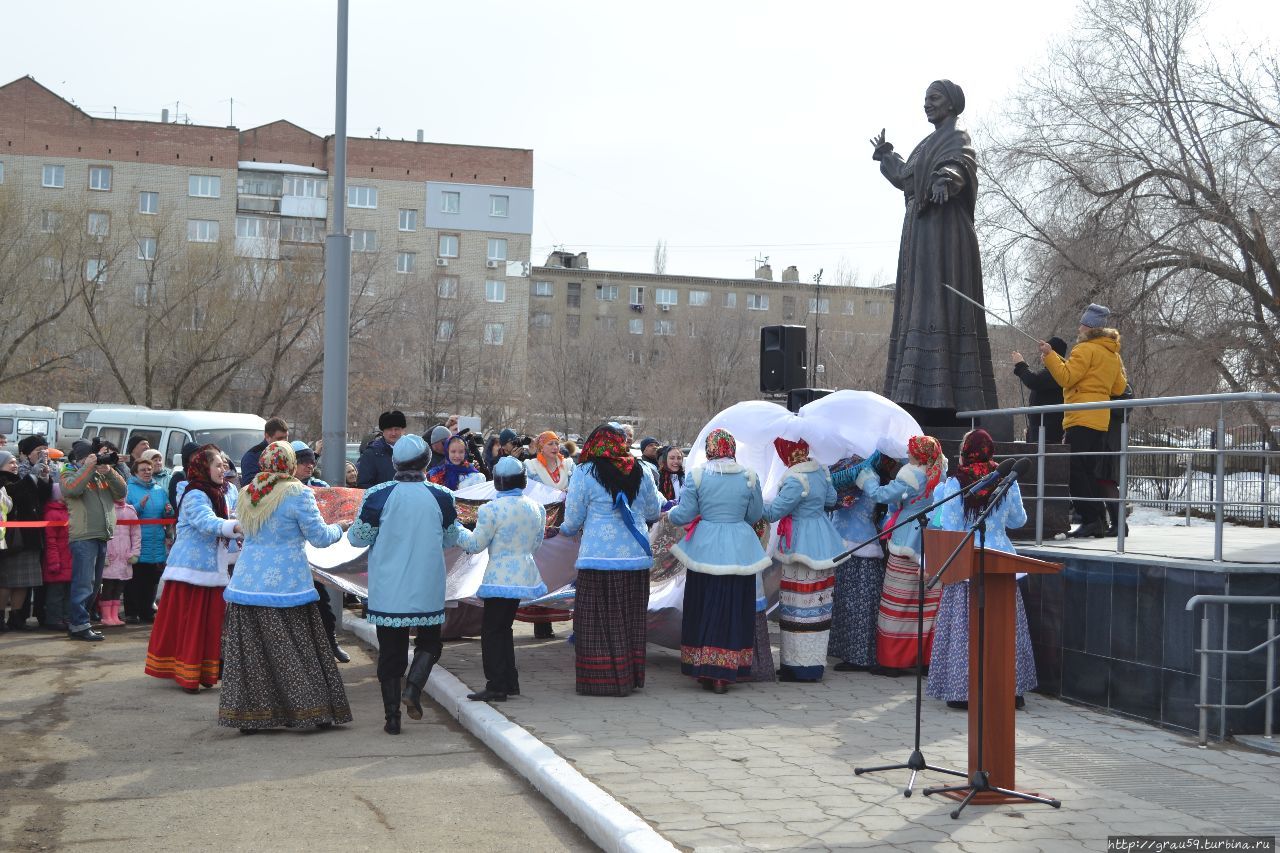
x=186 y=640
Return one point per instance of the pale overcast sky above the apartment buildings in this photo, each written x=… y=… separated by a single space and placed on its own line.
x=730 y=130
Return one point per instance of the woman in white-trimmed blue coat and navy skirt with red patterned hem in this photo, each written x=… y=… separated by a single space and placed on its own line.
x=723 y=555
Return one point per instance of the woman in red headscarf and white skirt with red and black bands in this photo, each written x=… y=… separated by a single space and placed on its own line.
x=807 y=548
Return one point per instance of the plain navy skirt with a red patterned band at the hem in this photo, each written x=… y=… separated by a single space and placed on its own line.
x=717 y=636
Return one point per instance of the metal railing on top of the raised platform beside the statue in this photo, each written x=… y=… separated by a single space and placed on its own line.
x=1219 y=454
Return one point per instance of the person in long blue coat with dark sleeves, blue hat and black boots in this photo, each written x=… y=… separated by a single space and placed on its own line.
x=408 y=523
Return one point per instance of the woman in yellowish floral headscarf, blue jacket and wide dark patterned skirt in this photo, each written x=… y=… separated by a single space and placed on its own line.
x=278 y=669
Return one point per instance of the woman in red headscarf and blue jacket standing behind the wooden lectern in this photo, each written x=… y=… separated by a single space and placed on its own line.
x=949 y=673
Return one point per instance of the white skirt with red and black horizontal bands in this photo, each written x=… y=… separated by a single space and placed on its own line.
x=806 y=621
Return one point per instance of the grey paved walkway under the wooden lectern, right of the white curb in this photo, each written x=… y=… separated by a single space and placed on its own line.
x=771 y=767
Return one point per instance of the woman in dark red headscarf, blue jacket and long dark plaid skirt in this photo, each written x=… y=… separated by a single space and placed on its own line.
x=610 y=500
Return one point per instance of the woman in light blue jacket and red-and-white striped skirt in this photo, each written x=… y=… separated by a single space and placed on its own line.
x=906 y=495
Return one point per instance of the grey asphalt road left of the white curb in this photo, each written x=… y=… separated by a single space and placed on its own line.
x=97 y=756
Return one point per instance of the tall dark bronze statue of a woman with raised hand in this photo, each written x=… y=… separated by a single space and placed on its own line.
x=939 y=353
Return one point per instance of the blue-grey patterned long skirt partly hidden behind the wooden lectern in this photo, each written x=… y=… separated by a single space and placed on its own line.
x=949 y=673
